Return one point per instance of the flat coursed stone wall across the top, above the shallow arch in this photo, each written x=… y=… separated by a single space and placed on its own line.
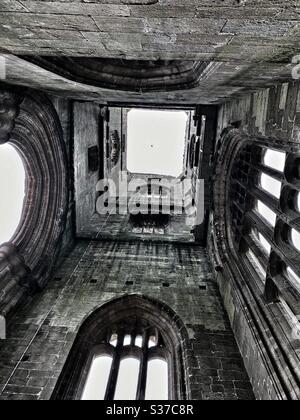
x=254 y=31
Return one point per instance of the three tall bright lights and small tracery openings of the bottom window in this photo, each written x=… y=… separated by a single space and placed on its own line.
x=130 y=363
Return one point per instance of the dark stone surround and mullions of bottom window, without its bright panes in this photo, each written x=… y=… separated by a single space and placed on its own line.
x=139 y=315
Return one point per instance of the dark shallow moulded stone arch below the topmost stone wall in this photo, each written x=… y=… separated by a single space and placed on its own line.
x=127 y=75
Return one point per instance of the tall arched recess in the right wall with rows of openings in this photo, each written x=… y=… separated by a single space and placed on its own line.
x=262 y=306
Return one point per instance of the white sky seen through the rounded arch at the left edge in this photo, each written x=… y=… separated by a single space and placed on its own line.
x=12 y=186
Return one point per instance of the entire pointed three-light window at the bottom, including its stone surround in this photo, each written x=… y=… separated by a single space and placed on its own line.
x=129 y=349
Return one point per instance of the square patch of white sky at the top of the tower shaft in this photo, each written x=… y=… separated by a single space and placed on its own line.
x=156 y=141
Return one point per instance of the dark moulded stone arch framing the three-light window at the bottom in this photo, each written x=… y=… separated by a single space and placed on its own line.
x=93 y=331
